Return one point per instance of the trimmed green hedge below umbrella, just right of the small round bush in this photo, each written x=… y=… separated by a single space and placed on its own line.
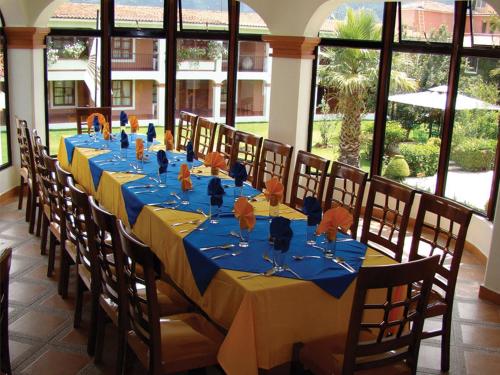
x=421 y=158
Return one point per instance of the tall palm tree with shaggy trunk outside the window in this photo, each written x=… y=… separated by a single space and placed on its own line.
x=351 y=74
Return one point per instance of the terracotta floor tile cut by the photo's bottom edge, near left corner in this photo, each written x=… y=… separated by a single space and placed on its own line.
x=55 y=362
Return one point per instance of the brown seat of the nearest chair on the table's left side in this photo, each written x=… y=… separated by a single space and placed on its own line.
x=187 y=341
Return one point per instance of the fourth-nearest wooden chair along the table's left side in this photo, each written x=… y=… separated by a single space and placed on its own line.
x=68 y=241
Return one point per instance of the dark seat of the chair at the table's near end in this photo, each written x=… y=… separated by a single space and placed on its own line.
x=325 y=357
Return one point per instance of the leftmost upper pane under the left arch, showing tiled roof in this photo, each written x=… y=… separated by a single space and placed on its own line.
x=76 y=14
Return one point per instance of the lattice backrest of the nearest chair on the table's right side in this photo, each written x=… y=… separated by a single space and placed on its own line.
x=441 y=228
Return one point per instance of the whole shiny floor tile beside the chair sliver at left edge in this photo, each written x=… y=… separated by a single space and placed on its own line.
x=37 y=324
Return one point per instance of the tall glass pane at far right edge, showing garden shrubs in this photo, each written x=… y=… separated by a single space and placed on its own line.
x=475 y=131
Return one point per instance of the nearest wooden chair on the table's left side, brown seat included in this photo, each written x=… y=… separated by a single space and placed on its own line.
x=179 y=343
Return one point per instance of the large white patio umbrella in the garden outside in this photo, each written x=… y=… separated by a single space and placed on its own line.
x=436 y=98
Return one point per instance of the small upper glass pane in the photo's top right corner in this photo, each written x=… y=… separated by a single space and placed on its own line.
x=485 y=25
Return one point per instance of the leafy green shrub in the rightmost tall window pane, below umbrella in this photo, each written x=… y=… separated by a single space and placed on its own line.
x=475 y=154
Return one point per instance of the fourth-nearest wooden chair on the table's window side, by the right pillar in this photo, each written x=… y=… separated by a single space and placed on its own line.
x=309 y=178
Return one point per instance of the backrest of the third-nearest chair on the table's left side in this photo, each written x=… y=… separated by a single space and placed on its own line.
x=83 y=231
